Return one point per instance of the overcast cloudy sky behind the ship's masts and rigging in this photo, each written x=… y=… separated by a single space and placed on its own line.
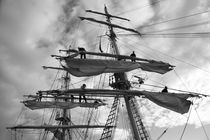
x=32 y=30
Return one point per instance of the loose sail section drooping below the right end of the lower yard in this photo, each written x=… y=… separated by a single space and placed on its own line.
x=173 y=101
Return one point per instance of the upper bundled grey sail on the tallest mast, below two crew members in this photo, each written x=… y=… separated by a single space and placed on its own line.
x=91 y=67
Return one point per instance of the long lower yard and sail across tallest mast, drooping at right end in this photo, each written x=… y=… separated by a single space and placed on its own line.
x=174 y=101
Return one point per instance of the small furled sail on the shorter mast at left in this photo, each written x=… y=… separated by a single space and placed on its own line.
x=33 y=104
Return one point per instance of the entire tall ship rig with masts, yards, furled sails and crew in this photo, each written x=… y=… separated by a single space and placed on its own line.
x=65 y=101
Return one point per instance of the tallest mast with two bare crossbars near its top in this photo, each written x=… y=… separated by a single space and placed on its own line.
x=121 y=76
